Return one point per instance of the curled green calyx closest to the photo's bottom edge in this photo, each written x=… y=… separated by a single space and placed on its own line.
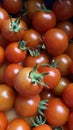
x=39 y=121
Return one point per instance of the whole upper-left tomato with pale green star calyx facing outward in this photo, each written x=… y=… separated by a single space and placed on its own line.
x=13 y=29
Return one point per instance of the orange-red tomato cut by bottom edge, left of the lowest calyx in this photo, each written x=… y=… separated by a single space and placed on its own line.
x=18 y=123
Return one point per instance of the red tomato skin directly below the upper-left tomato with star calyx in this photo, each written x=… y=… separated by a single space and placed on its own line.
x=14 y=54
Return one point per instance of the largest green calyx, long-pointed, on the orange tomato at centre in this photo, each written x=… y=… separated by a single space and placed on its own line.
x=37 y=78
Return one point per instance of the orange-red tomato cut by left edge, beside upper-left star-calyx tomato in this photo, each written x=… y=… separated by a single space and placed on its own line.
x=3 y=16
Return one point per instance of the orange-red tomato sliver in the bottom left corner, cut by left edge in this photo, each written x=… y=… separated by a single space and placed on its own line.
x=3 y=121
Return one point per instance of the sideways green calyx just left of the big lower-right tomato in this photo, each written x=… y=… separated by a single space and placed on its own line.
x=42 y=106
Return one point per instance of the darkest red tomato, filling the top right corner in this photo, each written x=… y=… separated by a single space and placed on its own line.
x=63 y=9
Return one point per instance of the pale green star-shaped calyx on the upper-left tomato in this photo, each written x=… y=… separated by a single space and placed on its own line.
x=15 y=25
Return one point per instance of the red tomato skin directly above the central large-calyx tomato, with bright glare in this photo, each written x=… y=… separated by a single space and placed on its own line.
x=31 y=61
